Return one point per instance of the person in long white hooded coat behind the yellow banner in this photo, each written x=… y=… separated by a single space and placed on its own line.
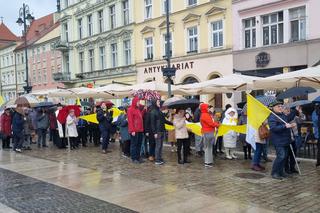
x=230 y=138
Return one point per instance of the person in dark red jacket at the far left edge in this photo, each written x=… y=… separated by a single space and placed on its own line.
x=6 y=130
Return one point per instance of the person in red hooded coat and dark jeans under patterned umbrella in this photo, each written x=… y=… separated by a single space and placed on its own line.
x=135 y=127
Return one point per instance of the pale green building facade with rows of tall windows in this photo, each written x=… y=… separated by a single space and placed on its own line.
x=96 y=42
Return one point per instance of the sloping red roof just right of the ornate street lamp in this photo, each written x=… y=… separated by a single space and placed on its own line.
x=38 y=29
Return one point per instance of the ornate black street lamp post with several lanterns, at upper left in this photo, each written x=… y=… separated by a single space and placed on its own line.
x=24 y=16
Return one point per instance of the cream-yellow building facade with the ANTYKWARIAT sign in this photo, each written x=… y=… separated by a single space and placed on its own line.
x=200 y=41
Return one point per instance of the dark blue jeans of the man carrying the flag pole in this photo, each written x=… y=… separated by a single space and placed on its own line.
x=279 y=162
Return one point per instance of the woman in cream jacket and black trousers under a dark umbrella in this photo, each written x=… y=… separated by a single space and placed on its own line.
x=182 y=136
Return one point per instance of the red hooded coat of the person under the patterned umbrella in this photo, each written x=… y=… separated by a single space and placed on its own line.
x=135 y=117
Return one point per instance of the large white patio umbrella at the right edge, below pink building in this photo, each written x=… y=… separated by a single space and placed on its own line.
x=309 y=77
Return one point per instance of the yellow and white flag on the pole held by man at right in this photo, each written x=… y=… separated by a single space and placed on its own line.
x=257 y=114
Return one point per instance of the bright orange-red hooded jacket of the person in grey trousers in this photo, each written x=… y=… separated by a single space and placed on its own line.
x=207 y=123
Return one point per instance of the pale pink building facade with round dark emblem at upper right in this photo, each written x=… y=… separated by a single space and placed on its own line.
x=275 y=36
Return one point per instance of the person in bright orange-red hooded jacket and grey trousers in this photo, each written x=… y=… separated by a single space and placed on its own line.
x=208 y=128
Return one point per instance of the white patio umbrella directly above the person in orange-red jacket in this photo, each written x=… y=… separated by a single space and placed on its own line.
x=225 y=84
